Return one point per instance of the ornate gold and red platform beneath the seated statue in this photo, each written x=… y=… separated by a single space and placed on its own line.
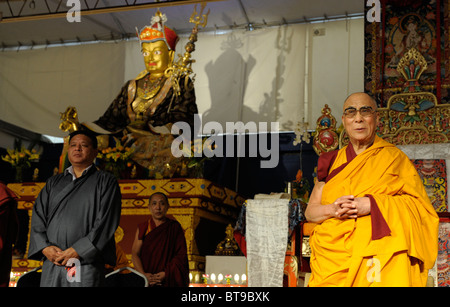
x=203 y=208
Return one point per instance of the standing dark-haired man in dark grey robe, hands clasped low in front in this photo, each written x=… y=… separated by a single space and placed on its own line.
x=74 y=219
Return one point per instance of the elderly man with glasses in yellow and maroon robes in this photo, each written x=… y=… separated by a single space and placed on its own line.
x=376 y=225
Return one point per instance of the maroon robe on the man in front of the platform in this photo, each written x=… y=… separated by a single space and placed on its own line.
x=164 y=250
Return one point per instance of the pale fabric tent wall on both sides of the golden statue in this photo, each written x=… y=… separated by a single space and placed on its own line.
x=240 y=76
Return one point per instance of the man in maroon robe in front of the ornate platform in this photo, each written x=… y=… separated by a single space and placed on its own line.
x=159 y=249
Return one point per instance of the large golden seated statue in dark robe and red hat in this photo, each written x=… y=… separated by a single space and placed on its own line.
x=148 y=106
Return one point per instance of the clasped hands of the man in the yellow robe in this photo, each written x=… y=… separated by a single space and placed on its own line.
x=348 y=206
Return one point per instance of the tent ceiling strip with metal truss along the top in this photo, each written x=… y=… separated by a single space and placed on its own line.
x=25 y=23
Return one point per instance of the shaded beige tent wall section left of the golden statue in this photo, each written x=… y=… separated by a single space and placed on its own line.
x=36 y=85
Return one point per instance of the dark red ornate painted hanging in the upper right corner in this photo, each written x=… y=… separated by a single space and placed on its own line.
x=406 y=24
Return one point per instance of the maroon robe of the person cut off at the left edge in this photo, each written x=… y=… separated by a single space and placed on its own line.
x=8 y=232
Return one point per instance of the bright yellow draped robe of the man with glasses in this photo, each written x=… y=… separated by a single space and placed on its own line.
x=344 y=252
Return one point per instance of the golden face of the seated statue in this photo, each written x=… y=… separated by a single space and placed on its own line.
x=157 y=56
